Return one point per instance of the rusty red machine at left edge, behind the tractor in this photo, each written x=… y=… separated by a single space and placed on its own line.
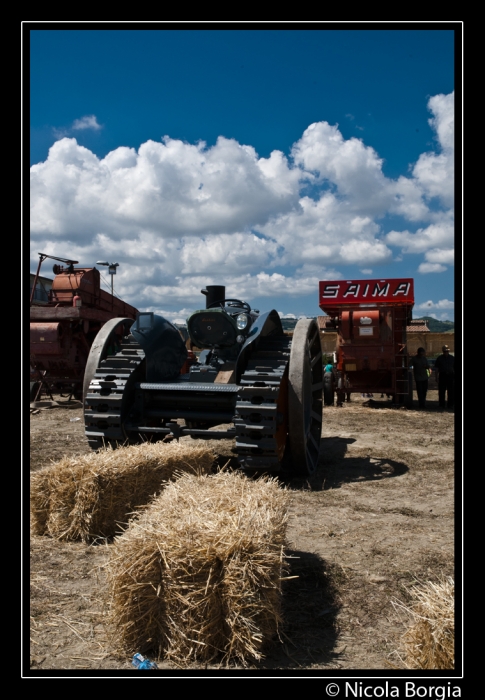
x=63 y=329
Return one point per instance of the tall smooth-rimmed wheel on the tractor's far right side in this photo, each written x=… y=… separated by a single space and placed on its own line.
x=305 y=397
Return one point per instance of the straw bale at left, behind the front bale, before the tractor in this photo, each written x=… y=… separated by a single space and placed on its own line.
x=90 y=496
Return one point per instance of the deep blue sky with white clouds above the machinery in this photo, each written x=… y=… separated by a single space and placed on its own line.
x=263 y=159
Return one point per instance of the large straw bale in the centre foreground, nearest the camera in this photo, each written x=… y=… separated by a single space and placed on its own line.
x=197 y=576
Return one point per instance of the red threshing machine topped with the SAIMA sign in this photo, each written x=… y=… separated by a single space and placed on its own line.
x=370 y=317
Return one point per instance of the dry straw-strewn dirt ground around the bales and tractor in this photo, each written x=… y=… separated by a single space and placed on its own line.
x=377 y=516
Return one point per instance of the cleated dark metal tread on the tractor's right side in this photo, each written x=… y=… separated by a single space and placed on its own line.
x=261 y=405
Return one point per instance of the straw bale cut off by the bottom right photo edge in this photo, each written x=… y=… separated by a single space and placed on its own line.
x=428 y=642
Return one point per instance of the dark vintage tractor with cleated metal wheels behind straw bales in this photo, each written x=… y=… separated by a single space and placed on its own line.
x=249 y=374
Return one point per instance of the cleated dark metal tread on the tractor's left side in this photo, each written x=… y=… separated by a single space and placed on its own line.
x=104 y=399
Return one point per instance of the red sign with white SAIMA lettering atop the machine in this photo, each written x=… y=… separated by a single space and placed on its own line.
x=366 y=292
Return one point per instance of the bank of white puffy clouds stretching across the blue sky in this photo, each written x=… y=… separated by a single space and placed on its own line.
x=178 y=216
